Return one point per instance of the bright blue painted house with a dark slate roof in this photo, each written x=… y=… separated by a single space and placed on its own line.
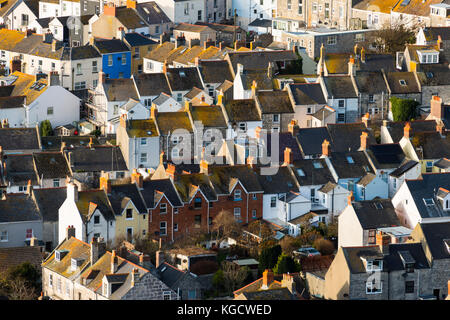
x=116 y=58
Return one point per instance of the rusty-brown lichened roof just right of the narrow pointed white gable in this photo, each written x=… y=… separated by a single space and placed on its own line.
x=274 y=102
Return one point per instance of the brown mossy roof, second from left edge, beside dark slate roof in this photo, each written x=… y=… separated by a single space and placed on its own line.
x=51 y=165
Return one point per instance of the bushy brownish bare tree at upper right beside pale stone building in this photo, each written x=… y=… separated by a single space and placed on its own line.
x=394 y=37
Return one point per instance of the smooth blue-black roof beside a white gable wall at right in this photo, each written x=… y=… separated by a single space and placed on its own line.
x=386 y=156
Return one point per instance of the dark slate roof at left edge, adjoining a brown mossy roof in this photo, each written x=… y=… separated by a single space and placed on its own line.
x=19 y=169
